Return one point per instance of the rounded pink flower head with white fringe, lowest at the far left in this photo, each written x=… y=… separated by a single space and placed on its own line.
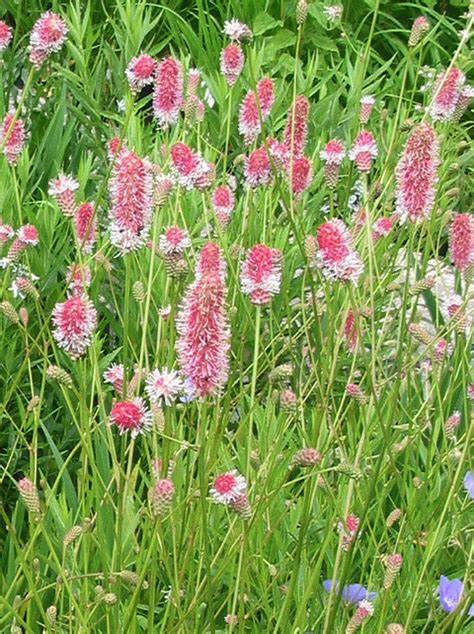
x=75 y=321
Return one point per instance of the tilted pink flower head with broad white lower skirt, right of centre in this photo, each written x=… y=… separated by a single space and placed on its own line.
x=336 y=256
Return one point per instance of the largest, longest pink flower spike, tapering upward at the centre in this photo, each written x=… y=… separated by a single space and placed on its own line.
x=203 y=328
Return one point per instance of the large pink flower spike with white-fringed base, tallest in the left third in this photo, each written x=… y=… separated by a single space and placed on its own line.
x=131 y=201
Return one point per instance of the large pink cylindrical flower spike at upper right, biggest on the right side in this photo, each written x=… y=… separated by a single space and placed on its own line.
x=416 y=175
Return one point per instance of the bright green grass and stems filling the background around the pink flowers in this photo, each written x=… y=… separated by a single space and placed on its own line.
x=268 y=571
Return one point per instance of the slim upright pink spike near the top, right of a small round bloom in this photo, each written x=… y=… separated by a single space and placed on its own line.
x=168 y=96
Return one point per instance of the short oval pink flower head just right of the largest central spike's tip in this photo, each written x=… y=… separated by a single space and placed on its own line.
x=260 y=275
